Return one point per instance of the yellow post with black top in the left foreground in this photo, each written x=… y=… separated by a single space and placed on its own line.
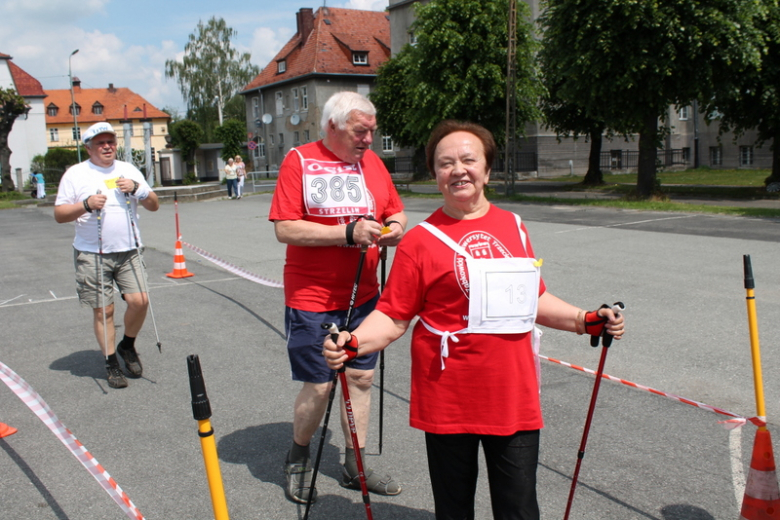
x=201 y=411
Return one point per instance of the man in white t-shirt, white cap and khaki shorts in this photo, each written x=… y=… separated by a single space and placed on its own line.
x=101 y=196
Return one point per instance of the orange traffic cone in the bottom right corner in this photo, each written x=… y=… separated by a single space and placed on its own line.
x=762 y=495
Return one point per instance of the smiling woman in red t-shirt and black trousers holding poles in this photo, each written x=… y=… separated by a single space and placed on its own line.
x=469 y=272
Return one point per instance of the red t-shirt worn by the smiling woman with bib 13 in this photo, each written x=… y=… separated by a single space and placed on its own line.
x=489 y=384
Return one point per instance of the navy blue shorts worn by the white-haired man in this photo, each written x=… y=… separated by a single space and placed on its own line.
x=305 y=337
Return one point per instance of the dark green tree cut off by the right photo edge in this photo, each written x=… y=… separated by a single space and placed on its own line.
x=755 y=103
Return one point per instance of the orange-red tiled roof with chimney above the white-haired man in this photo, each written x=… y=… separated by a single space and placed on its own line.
x=336 y=34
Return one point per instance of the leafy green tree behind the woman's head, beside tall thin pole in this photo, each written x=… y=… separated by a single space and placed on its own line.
x=457 y=70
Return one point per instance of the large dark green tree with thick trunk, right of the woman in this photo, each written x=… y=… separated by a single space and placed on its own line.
x=624 y=62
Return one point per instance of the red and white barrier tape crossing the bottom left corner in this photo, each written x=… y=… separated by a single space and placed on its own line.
x=36 y=403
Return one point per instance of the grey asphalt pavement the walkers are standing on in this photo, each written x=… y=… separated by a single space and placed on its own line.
x=647 y=457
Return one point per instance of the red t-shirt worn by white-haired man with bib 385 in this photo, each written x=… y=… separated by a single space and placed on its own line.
x=320 y=279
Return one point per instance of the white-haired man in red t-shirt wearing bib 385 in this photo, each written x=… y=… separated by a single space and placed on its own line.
x=324 y=191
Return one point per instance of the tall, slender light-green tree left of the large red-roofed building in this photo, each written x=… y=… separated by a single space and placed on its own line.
x=211 y=72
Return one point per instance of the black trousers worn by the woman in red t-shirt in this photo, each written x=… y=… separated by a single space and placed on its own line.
x=511 y=464
